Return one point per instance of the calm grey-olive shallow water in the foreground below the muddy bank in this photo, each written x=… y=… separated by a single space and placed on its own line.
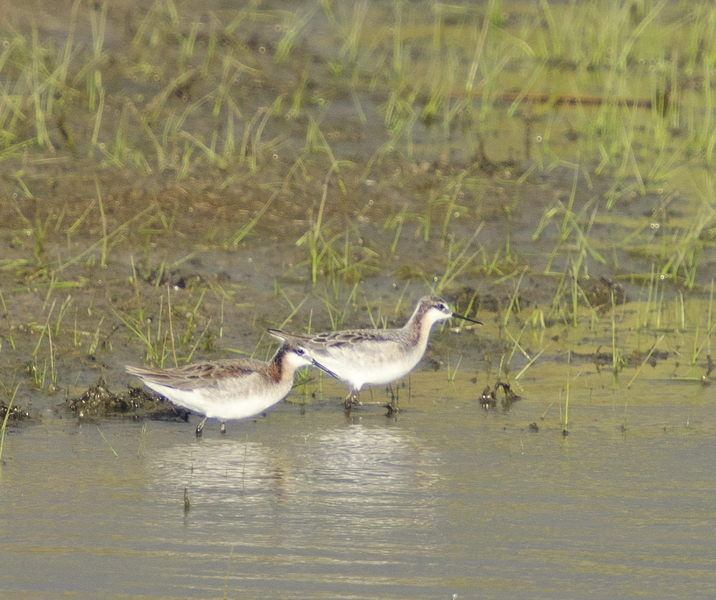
x=444 y=499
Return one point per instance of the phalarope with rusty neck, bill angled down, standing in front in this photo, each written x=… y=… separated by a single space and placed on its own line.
x=231 y=388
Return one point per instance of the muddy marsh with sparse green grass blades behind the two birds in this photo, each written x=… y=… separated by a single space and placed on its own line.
x=169 y=168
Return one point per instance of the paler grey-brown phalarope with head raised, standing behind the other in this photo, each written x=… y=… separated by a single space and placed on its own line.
x=361 y=357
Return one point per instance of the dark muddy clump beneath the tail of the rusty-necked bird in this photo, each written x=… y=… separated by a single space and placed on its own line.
x=99 y=401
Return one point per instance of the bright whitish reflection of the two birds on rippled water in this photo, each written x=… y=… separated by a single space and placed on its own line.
x=352 y=478
